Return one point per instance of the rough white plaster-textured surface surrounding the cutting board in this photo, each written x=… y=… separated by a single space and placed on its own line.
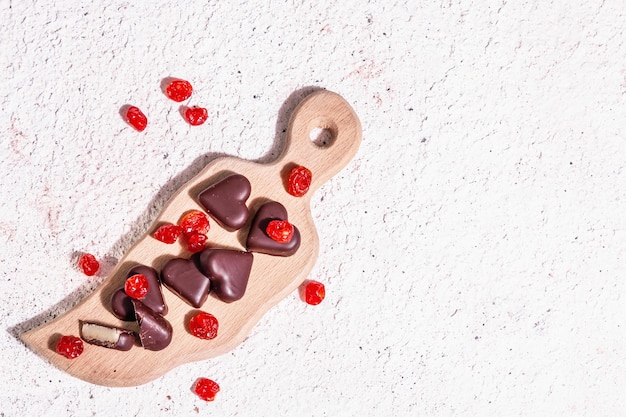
x=474 y=251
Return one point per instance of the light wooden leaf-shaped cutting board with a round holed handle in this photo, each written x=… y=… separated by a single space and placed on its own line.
x=272 y=278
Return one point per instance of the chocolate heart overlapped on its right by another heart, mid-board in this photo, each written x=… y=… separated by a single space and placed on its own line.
x=184 y=278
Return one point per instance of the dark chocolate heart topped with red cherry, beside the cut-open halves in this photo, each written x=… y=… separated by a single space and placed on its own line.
x=122 y=304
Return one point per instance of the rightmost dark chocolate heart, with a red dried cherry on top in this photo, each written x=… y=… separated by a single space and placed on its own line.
x=259 y=241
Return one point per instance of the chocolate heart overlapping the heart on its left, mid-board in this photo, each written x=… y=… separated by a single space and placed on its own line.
x=228 y=271
